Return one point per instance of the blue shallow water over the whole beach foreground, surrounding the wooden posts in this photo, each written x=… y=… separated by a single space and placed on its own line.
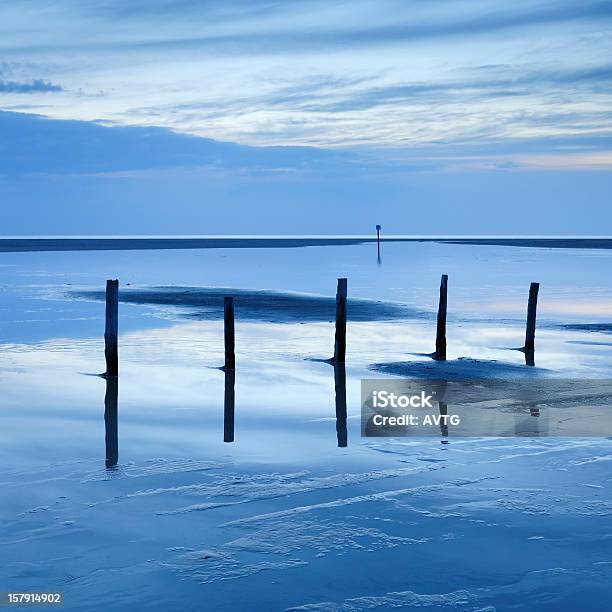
x=283 y=517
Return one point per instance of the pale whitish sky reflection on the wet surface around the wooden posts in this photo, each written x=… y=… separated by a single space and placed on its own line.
x=171 y=392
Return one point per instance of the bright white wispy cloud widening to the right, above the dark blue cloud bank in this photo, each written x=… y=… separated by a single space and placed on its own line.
x=485 y=102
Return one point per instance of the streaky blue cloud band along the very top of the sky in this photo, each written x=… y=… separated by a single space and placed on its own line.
x=246 y=31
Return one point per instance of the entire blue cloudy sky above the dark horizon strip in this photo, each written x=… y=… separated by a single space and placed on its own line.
x=292 y=116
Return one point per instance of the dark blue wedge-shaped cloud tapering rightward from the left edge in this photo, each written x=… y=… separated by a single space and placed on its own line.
x=35 y=144
